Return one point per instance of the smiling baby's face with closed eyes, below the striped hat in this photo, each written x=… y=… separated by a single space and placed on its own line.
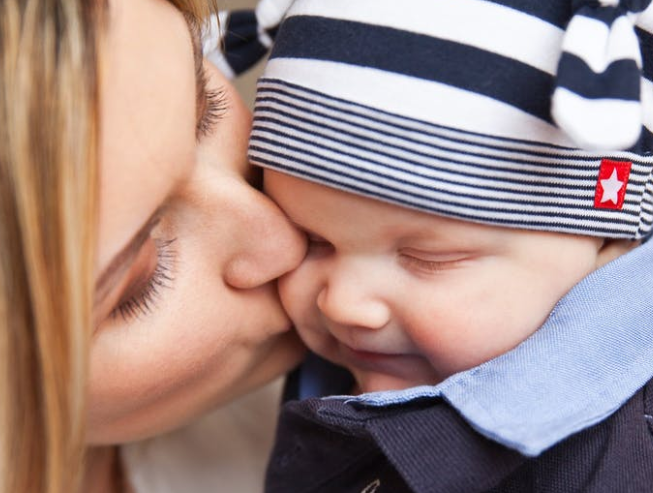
x=404 y=298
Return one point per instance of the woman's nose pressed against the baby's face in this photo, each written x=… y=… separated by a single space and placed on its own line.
x=269 y=246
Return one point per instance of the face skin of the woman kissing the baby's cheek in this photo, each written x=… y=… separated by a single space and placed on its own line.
x=216 y=328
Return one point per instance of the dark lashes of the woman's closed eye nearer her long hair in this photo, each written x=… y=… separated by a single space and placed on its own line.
x=144 y=301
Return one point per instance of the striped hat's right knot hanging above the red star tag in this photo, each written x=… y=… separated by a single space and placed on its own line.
x=597 y=99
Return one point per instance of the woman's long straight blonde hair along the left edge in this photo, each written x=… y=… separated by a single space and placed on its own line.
x=49 y=118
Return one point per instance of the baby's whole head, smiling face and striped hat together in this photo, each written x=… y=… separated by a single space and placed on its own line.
x=447 y=210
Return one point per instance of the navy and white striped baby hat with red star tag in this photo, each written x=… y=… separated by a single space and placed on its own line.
x=522 y=113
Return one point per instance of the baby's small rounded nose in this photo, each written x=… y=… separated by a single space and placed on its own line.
x=351 y=298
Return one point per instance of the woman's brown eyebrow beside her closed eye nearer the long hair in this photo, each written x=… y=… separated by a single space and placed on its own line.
x=123 y=259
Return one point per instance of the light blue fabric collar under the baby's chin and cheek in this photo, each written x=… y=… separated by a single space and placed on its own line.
x=591 y=355
